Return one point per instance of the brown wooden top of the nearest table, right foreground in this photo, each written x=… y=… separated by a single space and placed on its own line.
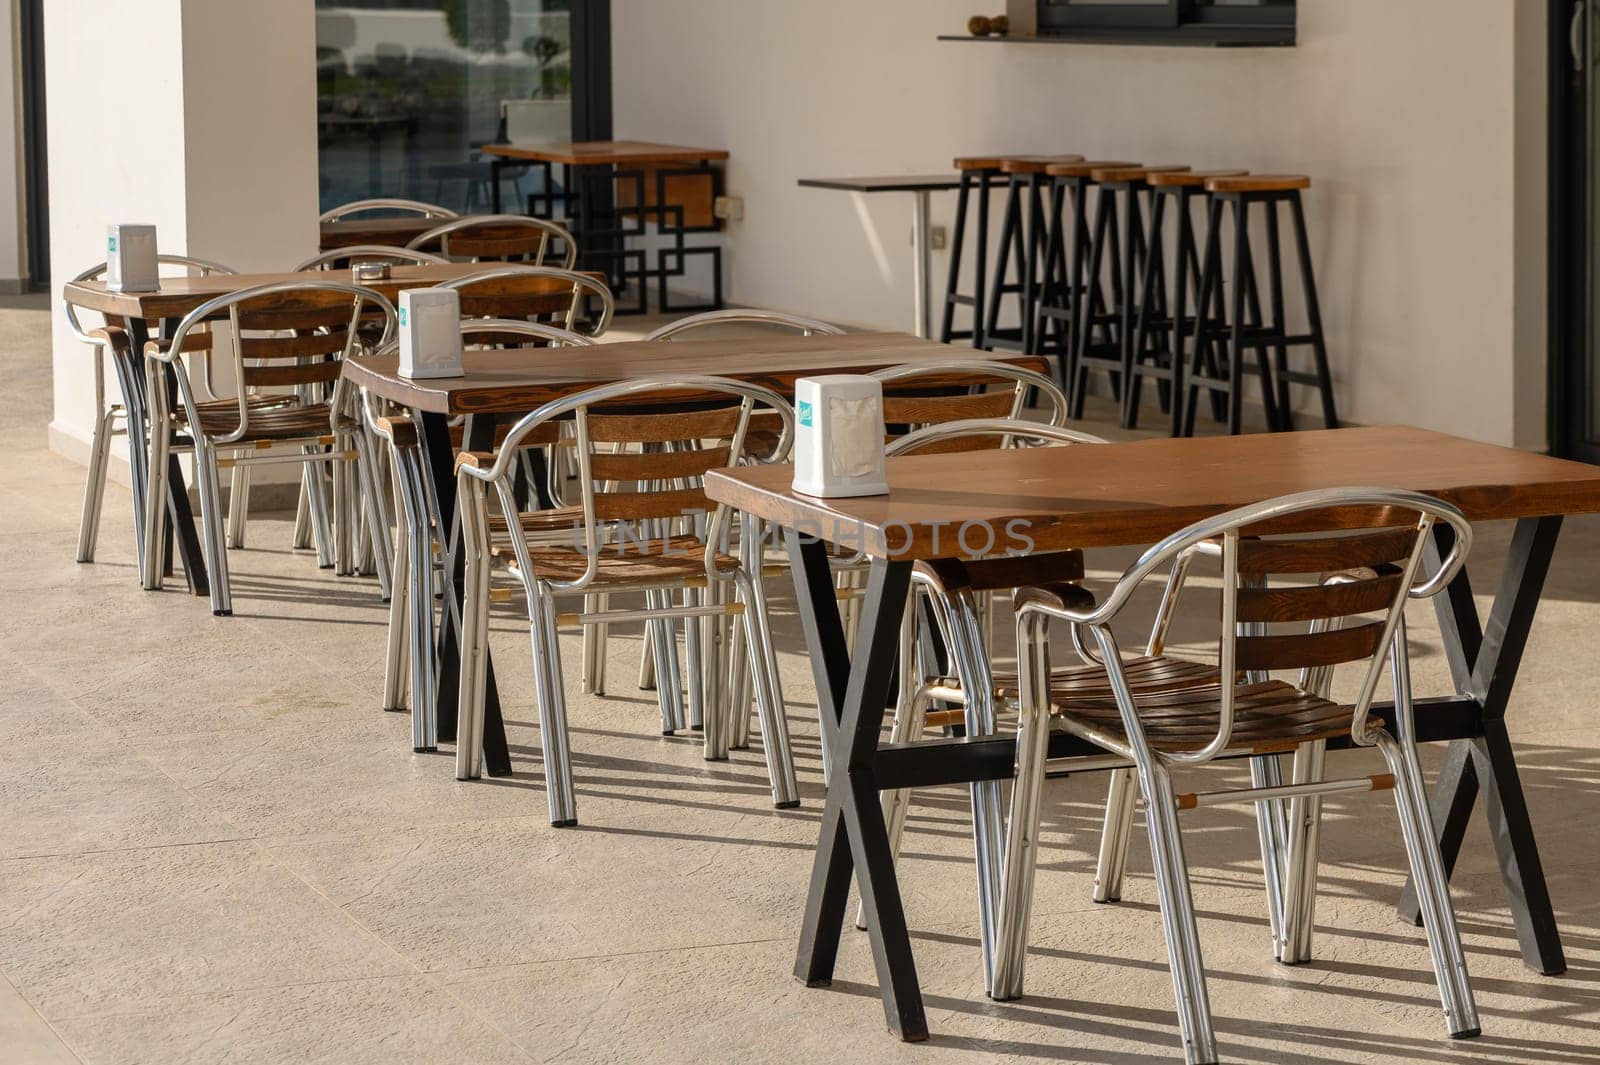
x=1138 y=493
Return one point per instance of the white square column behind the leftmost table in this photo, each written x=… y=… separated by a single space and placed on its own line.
x=194 y=116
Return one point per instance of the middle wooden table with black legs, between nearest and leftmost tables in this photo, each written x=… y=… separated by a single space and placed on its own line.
x=514 y=381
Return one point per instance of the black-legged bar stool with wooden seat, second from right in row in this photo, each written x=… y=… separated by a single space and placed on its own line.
x=1159 y=337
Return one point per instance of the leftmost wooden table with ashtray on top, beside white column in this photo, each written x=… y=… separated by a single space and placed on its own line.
x=172 y=301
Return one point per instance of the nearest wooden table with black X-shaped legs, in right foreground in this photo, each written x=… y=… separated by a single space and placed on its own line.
x=1126 y=495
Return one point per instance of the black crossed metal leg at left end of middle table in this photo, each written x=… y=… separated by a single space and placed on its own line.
x=441 y=463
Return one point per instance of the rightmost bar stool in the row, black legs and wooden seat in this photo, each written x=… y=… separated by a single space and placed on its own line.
x=1271 y=191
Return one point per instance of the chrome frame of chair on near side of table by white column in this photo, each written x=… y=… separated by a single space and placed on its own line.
x=345 y=428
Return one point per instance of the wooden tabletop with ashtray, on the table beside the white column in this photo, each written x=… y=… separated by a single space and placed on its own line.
x=180 y=295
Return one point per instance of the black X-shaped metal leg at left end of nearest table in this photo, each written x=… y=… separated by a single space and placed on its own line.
x=852 y=695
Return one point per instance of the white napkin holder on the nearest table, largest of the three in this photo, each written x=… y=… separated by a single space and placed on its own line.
x=839 y=437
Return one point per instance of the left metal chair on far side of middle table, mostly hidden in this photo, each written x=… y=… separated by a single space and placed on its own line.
x=420 y=541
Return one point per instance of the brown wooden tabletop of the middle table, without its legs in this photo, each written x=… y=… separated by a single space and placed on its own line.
x=513 y=381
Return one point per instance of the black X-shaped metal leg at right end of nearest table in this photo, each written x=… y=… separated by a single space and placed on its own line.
x=1484 y=663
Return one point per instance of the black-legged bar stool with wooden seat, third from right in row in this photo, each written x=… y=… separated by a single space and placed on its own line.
x=1119 y=237
